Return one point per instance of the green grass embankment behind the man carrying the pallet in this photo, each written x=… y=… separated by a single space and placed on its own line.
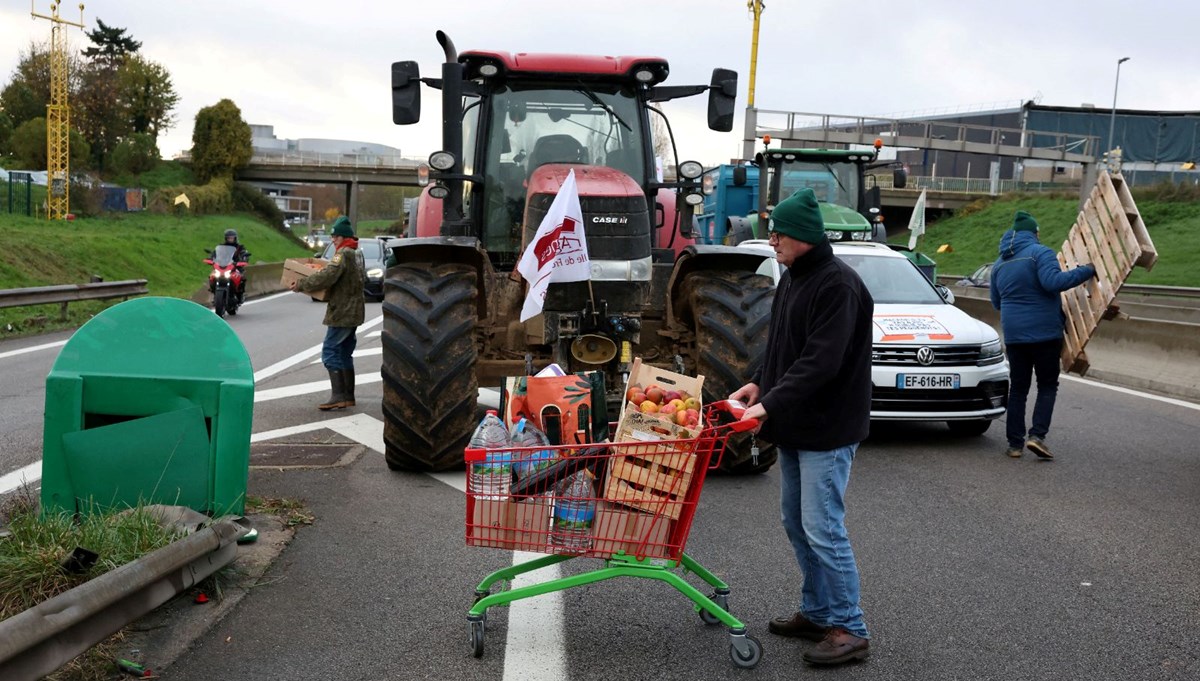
x=974 y=234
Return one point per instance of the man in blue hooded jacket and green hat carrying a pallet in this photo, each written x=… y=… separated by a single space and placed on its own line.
x=1027 y=287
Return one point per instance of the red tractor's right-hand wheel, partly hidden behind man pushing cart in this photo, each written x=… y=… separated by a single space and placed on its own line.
x=730 y=316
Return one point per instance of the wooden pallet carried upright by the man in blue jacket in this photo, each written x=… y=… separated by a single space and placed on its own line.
x=1109 y=234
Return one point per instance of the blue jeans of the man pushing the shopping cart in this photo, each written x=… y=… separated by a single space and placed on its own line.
x=814 y=489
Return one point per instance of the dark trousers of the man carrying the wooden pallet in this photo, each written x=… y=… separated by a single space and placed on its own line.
x=1027 y=360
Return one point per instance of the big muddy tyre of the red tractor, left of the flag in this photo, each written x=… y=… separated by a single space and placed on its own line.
x=430 y=389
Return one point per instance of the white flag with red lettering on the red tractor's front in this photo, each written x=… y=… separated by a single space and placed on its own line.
x=560 y=250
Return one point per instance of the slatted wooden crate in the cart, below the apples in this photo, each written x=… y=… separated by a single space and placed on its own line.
x=652 y=478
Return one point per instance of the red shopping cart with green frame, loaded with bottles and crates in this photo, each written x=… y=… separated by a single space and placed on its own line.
x=644 y=496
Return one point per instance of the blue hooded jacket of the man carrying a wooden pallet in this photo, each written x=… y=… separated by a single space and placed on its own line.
x=1027 y=282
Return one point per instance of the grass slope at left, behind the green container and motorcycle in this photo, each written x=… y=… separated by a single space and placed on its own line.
x=166 y=251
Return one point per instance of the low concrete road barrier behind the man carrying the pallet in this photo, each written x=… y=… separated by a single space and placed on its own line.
x=1143 y=354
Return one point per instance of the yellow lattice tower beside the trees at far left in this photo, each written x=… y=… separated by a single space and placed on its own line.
x=58 y=117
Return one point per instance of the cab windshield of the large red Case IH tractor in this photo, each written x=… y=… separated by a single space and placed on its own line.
x=533 y=125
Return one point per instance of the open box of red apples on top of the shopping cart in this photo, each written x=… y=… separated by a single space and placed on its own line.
x=668 y=396
